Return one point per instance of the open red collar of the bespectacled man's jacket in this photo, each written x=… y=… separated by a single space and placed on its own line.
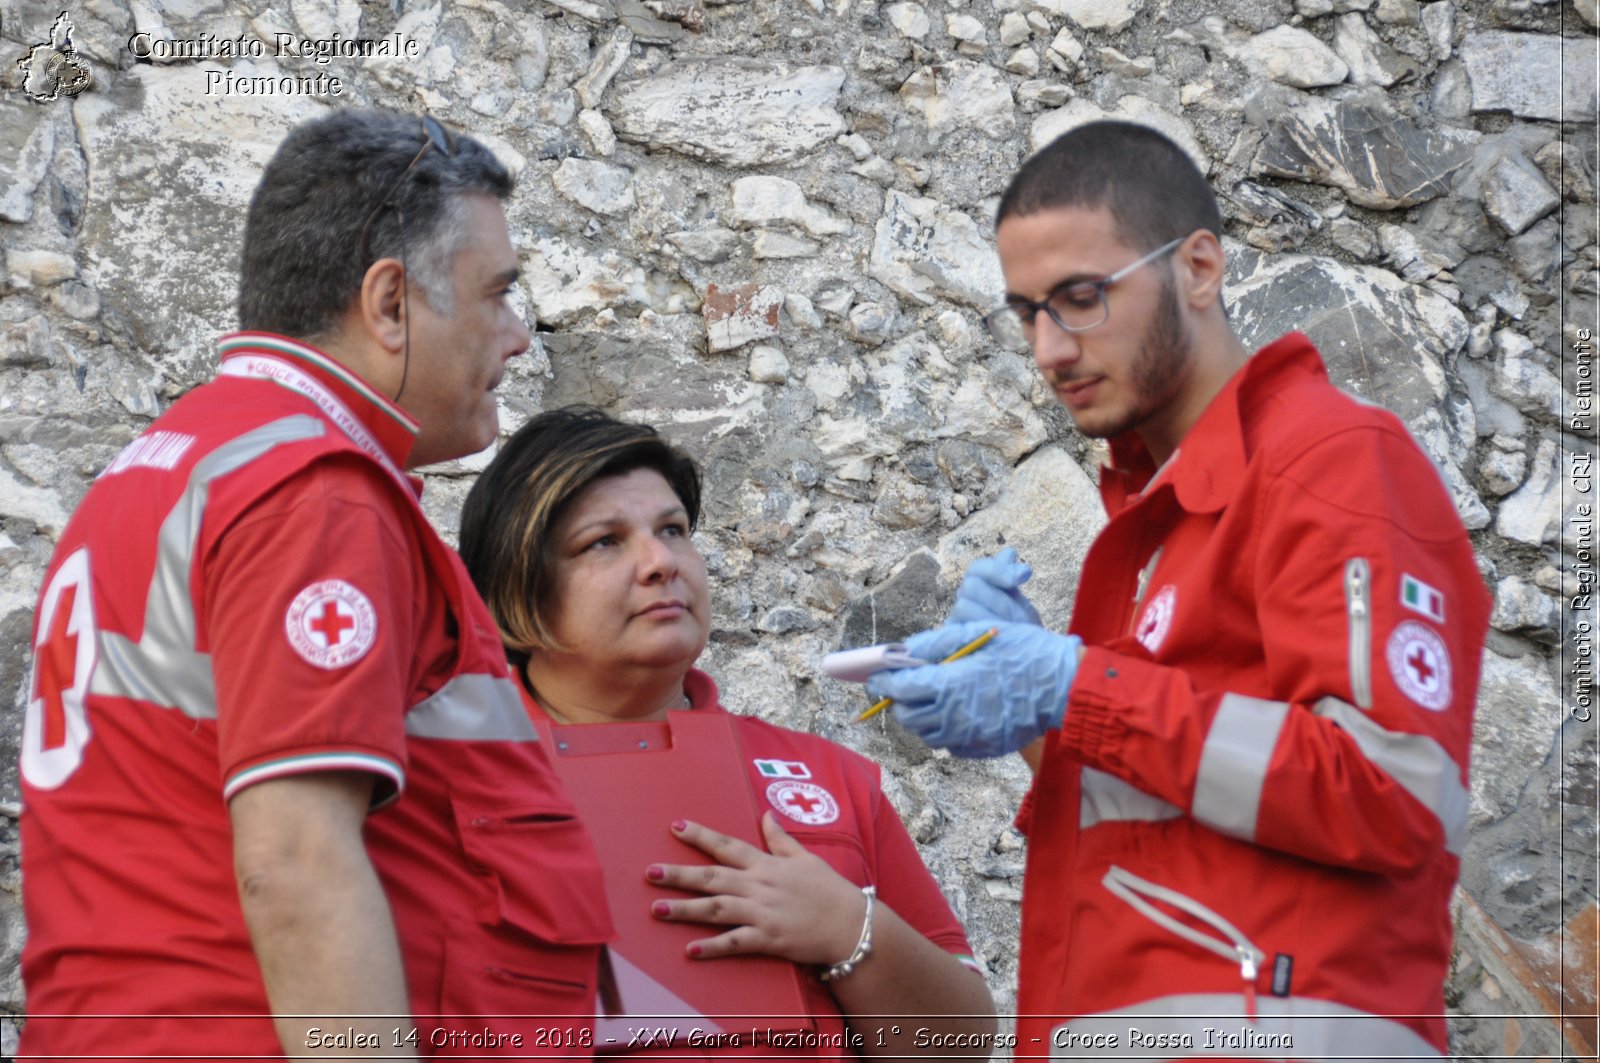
x=1209 y=465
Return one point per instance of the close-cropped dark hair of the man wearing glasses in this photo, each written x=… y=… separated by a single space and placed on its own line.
x=1148 y=183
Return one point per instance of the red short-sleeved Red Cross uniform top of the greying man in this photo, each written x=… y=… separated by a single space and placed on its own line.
x=172 y=672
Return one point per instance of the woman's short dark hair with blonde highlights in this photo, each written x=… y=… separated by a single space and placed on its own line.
x=508 y=523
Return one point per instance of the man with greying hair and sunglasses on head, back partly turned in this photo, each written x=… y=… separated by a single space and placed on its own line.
x=281 y=795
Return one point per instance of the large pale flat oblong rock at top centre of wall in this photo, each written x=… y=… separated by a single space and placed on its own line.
x=738 y=113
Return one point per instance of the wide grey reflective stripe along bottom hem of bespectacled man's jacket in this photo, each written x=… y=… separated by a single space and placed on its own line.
x=1214 y=1024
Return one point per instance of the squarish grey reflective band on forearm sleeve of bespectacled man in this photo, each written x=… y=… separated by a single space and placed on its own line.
x=1234 y=764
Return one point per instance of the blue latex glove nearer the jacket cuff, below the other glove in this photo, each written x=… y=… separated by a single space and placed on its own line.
x=990 y=704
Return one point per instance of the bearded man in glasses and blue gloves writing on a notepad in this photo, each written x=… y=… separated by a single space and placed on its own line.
x=1250 y=753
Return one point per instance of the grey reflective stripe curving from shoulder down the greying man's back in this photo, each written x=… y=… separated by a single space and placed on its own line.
x=164 y=668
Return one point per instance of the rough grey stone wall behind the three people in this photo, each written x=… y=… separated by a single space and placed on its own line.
x=766 y=225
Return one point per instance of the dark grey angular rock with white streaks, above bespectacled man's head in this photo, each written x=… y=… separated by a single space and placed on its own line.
x=1359 y=146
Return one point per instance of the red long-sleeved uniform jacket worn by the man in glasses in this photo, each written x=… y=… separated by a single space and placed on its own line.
x=1258 y=798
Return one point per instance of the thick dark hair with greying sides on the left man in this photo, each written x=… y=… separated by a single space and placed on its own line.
x=305 y=257
